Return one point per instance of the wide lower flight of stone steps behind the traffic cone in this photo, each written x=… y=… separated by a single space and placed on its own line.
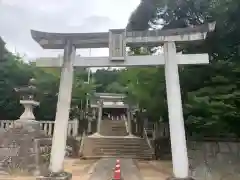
x=136 y=148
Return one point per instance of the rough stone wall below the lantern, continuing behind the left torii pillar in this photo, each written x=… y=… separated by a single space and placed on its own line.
x=27 y=150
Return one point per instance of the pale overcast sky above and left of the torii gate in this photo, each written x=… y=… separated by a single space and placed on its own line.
x=17 y=17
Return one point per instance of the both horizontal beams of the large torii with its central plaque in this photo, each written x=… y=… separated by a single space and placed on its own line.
x=117 y=40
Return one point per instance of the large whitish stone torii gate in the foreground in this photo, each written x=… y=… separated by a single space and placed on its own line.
x=117 y=40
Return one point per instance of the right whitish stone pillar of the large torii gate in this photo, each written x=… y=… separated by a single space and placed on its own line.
x=175 y=113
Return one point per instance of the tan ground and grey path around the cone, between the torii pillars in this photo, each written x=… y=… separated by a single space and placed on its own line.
x=103 y=170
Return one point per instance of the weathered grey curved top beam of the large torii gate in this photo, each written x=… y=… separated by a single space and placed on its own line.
x=102 y=39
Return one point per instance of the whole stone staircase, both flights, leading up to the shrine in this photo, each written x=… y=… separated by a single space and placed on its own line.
x=114 y=142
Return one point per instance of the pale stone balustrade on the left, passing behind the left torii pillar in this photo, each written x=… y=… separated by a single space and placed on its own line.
x=46 y=126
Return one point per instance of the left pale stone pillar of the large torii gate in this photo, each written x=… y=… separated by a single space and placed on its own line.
x=63 y=108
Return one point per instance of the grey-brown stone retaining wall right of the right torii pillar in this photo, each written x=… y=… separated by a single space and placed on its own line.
x=213 y=159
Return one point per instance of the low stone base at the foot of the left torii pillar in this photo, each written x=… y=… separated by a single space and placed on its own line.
x=56 y=176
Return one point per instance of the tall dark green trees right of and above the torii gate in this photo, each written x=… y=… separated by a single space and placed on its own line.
x=210 y=93
